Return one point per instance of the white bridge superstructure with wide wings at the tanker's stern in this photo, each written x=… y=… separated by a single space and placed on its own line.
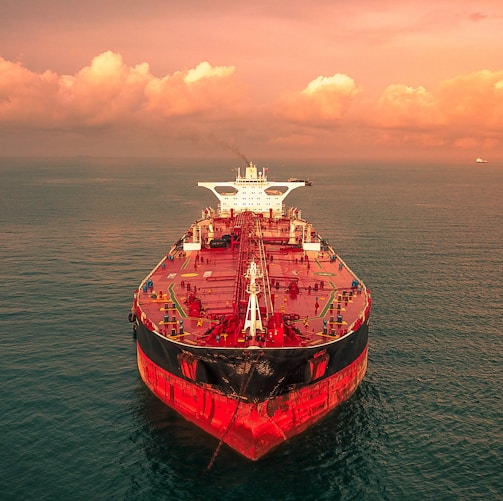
x=251 y=192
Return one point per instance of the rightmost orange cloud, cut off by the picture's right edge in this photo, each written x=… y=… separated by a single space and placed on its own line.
x=464 y=112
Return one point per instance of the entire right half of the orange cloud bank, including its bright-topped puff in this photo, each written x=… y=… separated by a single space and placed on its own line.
x=462 y=113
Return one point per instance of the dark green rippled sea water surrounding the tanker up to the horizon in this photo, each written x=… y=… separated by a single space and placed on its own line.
x=77 y=235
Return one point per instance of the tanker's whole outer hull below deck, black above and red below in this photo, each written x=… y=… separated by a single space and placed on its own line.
x=253 y=422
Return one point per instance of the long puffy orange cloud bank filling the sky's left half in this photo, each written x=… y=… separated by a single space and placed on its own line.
x=109 y=92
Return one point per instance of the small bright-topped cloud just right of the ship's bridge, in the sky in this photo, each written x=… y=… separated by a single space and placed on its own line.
x=323 y=100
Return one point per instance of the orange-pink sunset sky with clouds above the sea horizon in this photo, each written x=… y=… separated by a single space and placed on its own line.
x=388 y=80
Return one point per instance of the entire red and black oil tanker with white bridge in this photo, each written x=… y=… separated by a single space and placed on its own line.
x=252 y=327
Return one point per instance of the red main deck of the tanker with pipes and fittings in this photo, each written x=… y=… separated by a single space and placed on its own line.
x=198 y=297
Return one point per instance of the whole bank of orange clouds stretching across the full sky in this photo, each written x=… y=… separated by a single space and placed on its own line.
x=327 y=113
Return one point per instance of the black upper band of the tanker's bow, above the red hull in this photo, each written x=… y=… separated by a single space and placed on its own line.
x=252 y=374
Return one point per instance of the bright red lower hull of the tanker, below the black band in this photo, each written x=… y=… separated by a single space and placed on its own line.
x=252 y=428
